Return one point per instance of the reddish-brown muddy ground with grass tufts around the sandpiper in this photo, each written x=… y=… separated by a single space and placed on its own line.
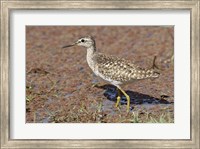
x=60 y=85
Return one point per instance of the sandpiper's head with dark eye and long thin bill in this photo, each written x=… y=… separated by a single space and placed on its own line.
x=85 y=42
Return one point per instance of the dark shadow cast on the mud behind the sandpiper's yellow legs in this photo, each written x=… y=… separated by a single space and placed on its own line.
x=135 y=97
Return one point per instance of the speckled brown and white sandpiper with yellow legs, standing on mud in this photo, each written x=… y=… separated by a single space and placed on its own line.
x=115 y=70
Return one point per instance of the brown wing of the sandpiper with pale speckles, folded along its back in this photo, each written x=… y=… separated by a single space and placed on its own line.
x=120 y=69
